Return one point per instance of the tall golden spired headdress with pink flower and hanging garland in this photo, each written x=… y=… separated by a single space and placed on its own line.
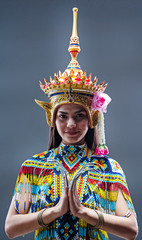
x=74 y=86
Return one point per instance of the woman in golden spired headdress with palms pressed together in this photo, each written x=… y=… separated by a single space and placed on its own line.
x=94 y=199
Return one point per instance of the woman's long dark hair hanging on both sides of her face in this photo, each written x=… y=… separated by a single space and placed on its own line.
x=91 y=138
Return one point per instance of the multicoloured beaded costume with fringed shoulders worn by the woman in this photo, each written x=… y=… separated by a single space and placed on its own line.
x=96 y=188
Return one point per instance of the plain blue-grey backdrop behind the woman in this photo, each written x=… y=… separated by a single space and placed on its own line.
x=34 y=38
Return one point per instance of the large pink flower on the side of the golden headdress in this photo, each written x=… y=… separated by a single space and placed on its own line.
x=100 y=101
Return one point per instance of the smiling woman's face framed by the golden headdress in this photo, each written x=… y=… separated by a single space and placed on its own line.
x=72 y=123
